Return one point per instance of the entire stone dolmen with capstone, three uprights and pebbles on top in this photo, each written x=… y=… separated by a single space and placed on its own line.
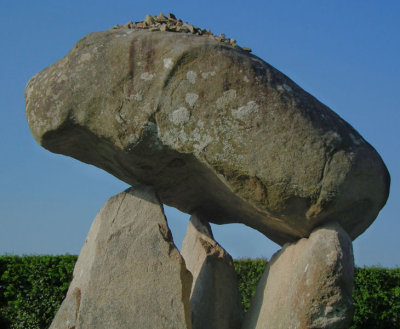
x=196 y=122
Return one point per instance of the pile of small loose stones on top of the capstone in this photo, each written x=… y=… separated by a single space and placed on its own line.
x=172 y=24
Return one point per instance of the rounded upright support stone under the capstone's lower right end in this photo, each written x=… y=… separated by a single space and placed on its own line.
x=307 y=285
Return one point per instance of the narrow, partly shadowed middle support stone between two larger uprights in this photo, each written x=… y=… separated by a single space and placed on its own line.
x=214 y=299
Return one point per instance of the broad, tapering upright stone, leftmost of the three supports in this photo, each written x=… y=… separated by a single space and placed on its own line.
x=129 y=273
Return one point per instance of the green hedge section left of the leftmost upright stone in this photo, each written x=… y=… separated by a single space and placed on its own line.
x=32 y=289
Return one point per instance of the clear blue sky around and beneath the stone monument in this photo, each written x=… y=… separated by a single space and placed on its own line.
x=345 y=53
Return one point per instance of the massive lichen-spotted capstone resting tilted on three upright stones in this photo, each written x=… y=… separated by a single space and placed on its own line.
x=213 y=128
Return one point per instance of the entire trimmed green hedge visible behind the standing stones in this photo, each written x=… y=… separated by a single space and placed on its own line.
x=32 y=288
